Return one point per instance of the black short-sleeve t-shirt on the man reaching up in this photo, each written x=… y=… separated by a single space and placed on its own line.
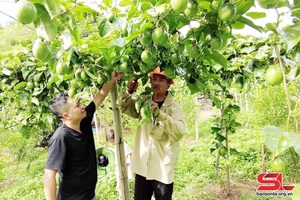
x=73 y=155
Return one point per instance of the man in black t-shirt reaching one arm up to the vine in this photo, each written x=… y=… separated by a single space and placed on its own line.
x=71 y=150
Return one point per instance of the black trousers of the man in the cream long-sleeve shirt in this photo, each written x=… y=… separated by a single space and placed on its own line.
x=144 y=189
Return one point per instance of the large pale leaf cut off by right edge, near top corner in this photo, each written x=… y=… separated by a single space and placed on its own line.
x=290 y=35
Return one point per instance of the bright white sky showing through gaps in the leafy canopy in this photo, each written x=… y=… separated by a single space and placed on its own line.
x=7 y=7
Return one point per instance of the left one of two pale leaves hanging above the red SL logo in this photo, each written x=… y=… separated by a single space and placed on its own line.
x=272 y=136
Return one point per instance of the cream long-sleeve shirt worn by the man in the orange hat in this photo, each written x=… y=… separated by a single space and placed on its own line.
x=156 y=145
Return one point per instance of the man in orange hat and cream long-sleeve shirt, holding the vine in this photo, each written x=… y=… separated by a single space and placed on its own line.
x=156 y=146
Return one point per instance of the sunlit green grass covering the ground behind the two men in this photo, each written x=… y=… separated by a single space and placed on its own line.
x=22 y=165
